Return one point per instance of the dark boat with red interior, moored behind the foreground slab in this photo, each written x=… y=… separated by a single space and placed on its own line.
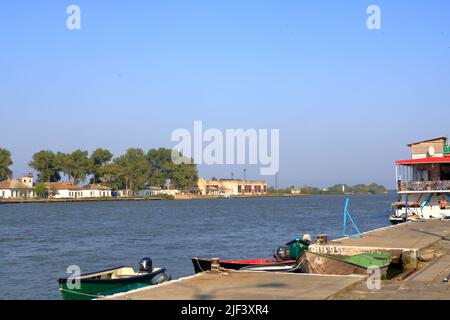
x=202 y=265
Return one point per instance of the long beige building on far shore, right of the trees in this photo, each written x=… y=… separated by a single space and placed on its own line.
x=232 y=187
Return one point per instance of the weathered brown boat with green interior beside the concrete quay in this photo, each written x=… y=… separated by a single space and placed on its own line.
x=317 y=263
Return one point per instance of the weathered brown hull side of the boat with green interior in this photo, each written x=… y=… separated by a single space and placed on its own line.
x=322 y=264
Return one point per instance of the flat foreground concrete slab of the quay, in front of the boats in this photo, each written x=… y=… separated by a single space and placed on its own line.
x=245 y=285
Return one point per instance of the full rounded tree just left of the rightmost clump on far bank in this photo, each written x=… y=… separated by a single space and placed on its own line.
x=134 y=169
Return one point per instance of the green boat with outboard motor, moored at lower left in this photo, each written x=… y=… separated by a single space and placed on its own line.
x=110 y=282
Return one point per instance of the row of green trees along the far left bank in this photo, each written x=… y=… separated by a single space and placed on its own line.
x=131 y=171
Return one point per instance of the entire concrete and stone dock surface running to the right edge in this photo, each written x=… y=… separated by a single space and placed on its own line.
x=423 y=248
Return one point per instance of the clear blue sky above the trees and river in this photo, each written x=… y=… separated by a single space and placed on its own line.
x=346 y=99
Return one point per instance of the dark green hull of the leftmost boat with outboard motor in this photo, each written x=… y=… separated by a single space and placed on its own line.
x=94 y=288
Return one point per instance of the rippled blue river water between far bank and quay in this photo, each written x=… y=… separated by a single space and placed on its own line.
x=39 y=241
